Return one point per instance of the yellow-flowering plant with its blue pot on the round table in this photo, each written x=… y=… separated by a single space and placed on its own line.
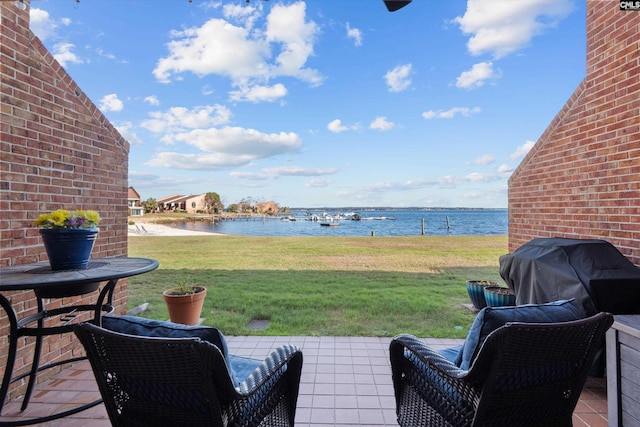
x=68 y=237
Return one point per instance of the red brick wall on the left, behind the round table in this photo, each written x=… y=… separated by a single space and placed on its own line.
x=58 y=151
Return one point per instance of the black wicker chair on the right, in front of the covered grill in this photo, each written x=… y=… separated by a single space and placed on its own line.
x=525 y=374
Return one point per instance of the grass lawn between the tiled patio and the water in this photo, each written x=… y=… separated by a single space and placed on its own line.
x=369 y=286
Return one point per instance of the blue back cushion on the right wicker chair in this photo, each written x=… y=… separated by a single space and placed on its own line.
x=491 y=318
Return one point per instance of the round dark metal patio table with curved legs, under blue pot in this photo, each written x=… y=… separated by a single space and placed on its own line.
x=47 y=284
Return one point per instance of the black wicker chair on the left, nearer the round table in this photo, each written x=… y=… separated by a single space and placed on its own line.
x=151 y=381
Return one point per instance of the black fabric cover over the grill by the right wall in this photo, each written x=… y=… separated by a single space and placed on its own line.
x=592 y=271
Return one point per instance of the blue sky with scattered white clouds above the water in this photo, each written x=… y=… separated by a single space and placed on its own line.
x=323 y=102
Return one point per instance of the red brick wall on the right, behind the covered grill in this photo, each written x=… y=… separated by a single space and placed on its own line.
x=582 y=178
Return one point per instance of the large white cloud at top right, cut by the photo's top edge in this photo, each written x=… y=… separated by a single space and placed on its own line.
x=501 y=27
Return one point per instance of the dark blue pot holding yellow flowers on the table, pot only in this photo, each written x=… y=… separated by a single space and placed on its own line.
x=69 y=248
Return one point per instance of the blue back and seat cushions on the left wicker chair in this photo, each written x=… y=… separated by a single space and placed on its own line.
x=239 y=367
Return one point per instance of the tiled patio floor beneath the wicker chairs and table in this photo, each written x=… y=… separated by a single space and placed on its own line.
x=346 y=381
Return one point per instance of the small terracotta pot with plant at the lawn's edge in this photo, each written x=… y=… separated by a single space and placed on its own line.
x=185 y=302
